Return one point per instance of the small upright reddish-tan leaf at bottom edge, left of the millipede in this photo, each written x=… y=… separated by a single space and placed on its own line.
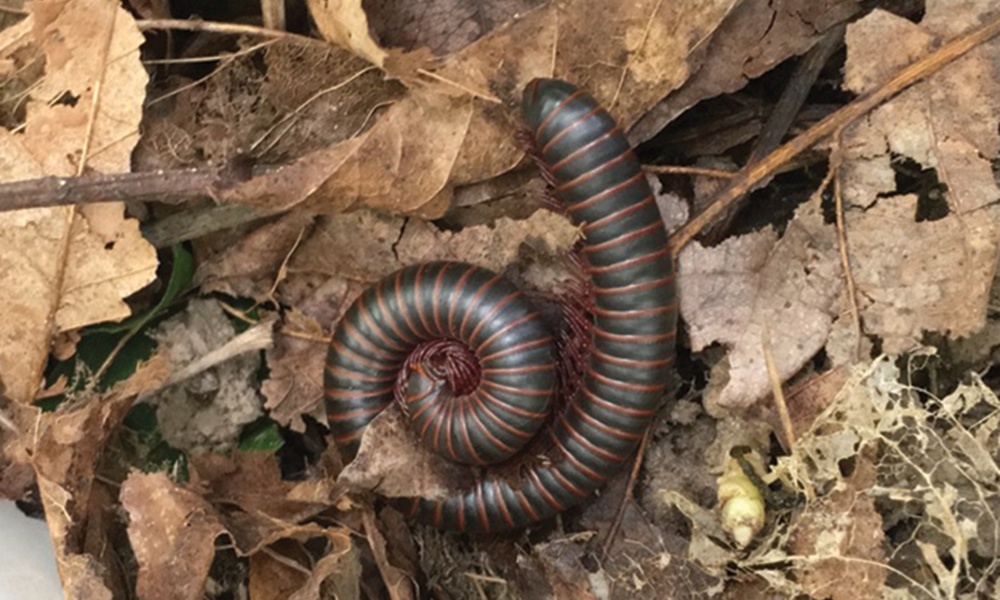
x=173 y=532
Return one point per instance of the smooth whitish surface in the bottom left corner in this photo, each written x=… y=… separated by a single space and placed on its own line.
x=27 y=561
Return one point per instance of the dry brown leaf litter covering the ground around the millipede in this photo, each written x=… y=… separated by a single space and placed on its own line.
x=884 y=487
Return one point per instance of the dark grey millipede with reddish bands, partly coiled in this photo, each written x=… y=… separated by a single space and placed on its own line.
x=472 y=362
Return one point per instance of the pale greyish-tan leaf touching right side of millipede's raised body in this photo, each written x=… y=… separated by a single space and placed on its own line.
x=757 y=286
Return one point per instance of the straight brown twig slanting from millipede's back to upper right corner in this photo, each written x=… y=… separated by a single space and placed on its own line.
x=756 y=172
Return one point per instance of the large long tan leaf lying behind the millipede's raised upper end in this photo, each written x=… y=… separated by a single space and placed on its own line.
x=453 y=130
